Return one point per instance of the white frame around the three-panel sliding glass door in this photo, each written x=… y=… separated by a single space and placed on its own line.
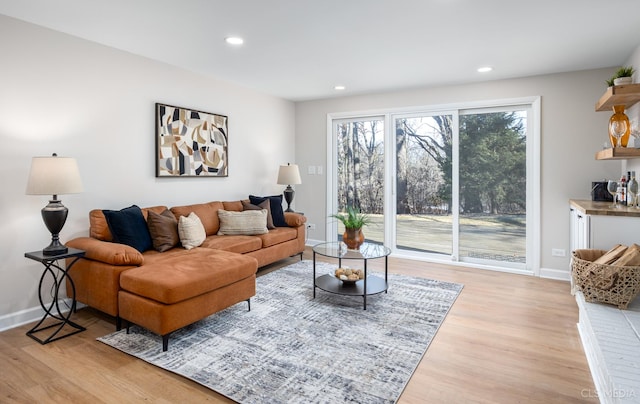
x=533 y=163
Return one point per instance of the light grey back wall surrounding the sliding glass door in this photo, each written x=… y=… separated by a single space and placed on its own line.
x=572 y=132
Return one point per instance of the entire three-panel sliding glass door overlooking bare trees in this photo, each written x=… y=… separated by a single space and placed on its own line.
x=460 y=183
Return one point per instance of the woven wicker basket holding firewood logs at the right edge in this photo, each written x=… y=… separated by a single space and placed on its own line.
x=604 y=283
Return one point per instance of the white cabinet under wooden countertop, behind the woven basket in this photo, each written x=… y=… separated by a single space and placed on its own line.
x=602 y=231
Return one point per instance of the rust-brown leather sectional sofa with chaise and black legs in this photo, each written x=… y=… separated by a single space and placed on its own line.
x=165 y=291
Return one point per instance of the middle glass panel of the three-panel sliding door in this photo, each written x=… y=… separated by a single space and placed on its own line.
x=424 y=220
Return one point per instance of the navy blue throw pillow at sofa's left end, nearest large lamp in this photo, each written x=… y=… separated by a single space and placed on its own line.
x=128 y=227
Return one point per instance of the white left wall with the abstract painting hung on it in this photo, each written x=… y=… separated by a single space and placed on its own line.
x=63 y=94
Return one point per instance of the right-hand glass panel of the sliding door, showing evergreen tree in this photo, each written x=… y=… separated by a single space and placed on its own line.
x=493 y=186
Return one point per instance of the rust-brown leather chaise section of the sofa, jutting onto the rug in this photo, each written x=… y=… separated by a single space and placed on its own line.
x=175 y=292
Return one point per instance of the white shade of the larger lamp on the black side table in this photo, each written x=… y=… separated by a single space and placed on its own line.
x=54 y=176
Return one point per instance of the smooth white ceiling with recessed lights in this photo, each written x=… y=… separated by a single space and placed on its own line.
x=301 y=49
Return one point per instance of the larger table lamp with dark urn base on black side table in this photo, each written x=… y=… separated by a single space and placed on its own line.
x=54 y=176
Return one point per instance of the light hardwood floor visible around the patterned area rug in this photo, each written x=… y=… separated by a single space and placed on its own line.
x=508 y=339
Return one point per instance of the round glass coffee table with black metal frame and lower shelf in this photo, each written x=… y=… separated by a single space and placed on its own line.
x=370 y=285
